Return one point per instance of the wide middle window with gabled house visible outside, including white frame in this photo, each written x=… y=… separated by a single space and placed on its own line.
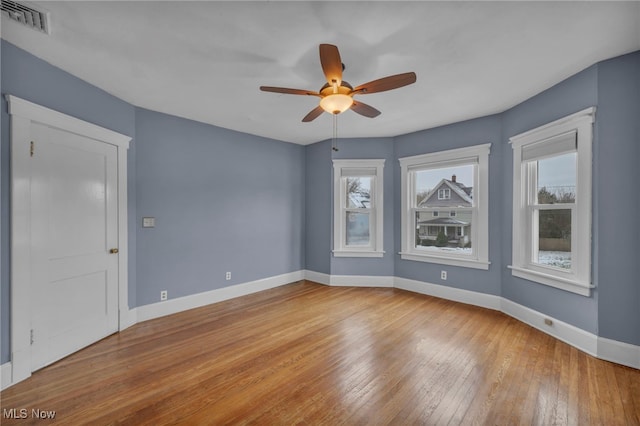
x=456 y=181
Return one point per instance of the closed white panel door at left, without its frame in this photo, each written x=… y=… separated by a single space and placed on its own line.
x=74 y=227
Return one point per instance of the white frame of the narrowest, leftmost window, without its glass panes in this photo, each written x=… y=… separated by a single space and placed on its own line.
x=343 y=169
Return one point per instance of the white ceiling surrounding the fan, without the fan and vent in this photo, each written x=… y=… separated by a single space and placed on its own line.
x=205 y=60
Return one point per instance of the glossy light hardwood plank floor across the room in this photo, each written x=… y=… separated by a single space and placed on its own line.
x=310 y=354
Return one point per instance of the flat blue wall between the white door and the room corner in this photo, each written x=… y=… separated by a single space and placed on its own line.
x=223 y=201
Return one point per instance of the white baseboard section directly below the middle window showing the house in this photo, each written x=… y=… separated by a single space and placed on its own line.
x=450 y=293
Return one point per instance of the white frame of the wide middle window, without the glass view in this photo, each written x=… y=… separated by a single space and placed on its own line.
x=478 y=155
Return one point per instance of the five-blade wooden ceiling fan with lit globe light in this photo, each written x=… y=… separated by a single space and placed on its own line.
x=336 y=96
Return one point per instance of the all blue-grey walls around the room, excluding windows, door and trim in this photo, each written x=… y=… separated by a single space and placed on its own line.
x=228 y=201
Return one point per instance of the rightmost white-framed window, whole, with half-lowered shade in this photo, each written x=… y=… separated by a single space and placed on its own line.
x=552 y=203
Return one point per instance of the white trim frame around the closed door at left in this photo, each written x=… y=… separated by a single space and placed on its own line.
x=22 y=113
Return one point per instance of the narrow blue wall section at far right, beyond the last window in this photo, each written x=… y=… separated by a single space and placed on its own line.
x=618 y=202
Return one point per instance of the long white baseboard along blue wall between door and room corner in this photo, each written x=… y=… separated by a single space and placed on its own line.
x=172 y=306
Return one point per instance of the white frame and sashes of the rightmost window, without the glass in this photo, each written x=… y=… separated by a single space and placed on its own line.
x=542 y=139
